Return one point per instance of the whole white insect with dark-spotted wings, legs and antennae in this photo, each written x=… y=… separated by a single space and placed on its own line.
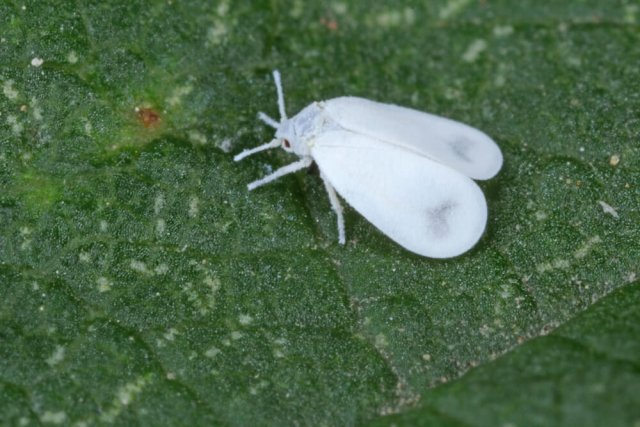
x=408 y=172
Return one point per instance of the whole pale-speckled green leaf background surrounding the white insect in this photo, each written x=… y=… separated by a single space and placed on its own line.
x=142 y=284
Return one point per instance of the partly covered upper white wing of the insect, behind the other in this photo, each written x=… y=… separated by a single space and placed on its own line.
x=452 y=143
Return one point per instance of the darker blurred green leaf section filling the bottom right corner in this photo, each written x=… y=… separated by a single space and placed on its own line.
x=584 y=373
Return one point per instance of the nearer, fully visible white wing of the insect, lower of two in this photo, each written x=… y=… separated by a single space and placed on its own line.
x=426 y=207
